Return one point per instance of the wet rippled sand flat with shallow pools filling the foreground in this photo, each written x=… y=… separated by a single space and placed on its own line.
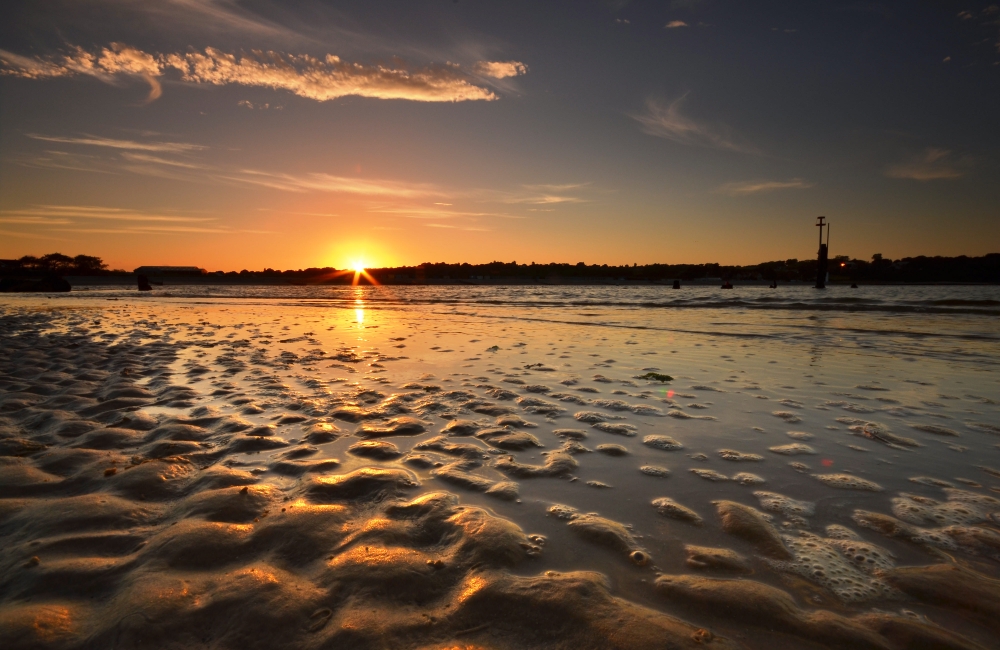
x=246 y=473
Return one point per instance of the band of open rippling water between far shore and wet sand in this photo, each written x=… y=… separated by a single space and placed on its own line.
x=941 y=321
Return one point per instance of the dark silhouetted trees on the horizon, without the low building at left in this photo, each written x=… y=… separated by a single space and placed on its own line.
x=842 y=269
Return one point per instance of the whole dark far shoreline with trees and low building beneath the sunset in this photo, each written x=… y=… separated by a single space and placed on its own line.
x=880 y=271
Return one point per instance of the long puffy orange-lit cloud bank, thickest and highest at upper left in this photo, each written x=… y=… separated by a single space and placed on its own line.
x=318 y=78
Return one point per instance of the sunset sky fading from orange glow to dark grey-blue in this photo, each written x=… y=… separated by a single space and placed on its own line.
x=235 y=134
